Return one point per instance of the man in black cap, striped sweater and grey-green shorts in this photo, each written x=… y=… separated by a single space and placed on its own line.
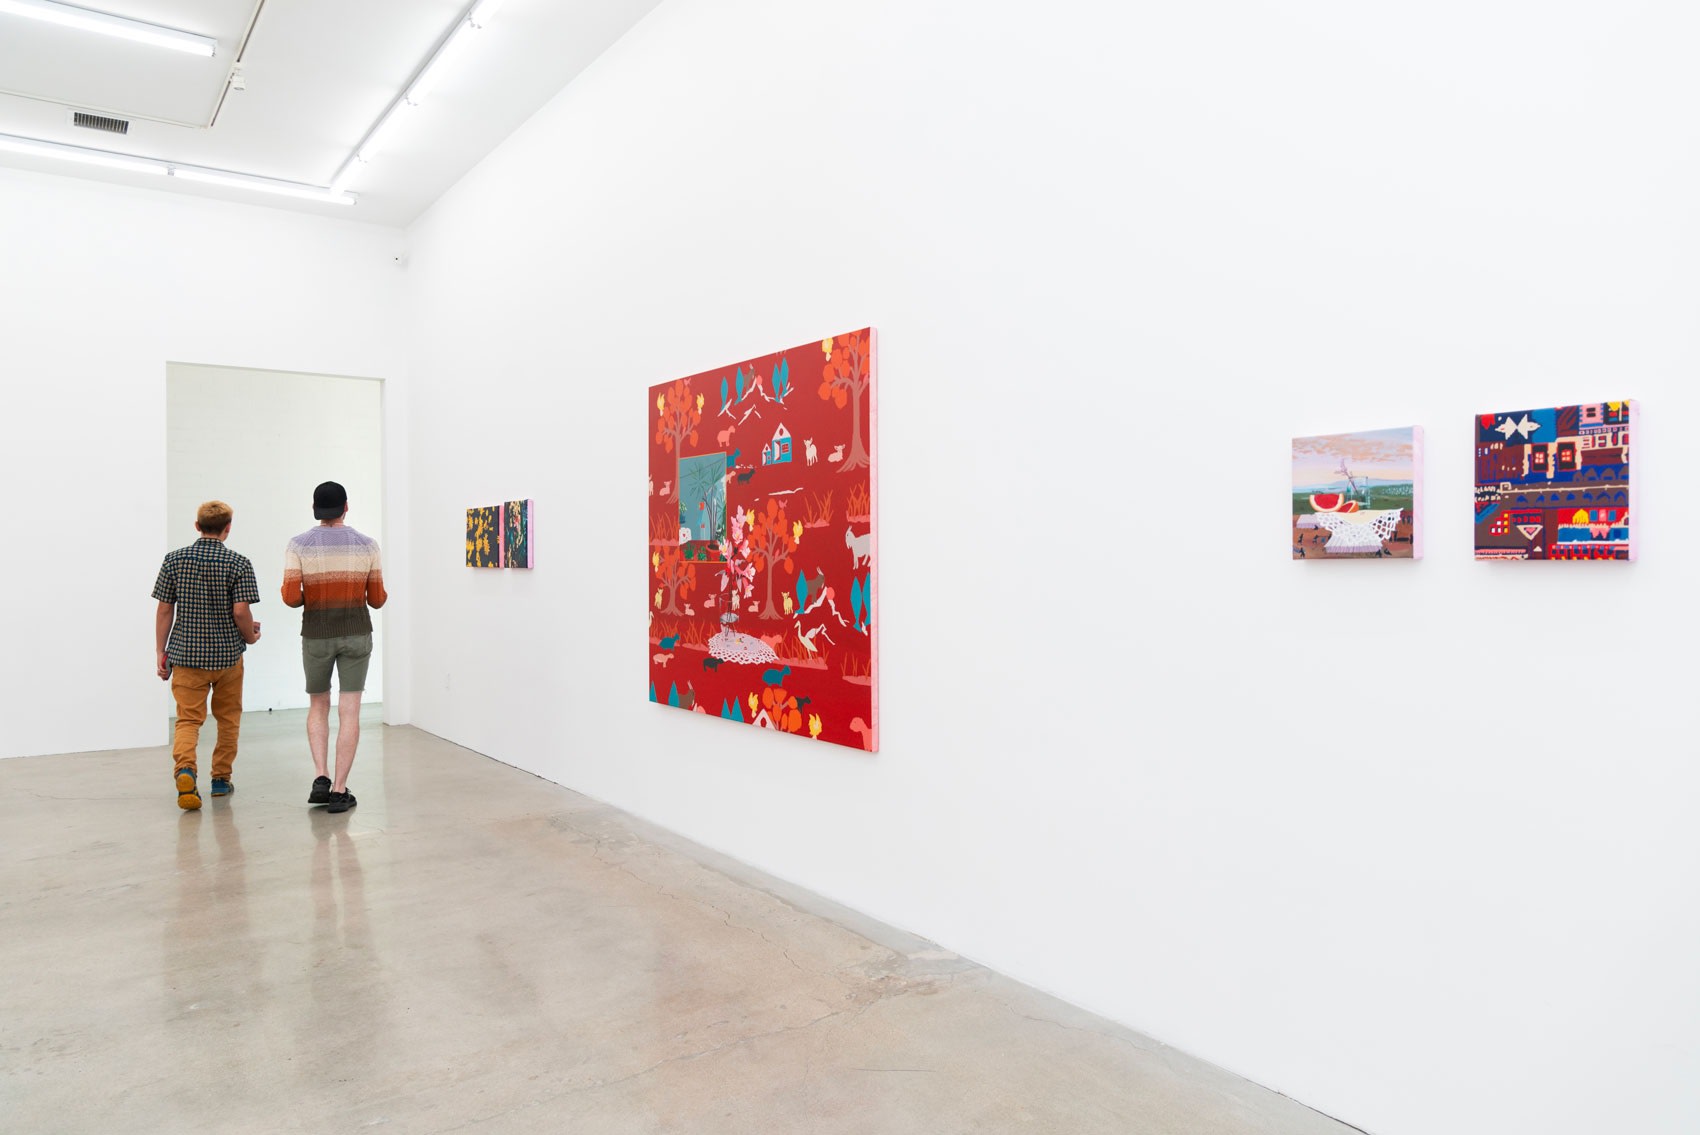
x=336 y=573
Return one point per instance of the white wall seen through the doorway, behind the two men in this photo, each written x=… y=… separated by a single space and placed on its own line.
x=263 y=441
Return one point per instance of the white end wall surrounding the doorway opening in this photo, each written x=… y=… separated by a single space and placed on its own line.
x=99 y=290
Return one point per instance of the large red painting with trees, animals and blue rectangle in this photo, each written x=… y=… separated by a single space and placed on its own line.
x=762 y=562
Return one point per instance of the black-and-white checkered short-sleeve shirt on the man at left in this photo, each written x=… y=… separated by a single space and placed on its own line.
x=203 y=582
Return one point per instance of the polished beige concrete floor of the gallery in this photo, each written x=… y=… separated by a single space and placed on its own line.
x=475 y=949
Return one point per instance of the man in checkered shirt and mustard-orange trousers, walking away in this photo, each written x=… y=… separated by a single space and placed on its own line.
x=201 y=630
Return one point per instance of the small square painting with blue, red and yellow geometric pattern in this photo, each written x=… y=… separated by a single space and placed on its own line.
x=1556 y=483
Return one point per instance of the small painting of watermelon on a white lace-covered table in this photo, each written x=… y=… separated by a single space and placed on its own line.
x=1359 y=495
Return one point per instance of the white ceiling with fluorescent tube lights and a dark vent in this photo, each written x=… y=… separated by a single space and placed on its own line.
x=319 y=77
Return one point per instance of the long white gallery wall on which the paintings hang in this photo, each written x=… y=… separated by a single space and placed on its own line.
x=1412 y=844
